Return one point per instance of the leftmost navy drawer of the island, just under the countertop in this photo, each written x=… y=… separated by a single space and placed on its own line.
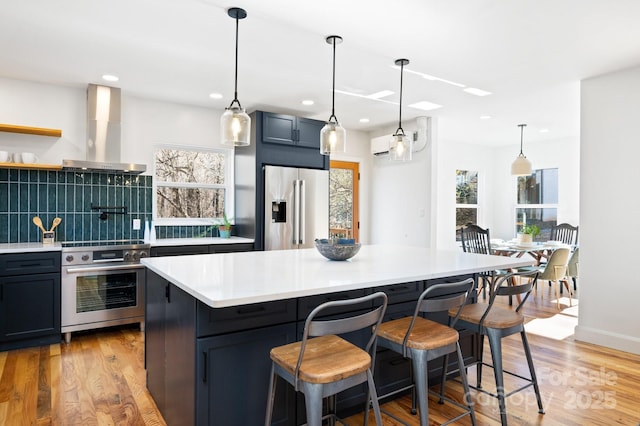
x=212 y=321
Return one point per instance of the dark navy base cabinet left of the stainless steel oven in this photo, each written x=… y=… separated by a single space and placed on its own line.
x=29 y=299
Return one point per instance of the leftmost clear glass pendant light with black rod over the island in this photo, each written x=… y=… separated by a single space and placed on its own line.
x=235 y=123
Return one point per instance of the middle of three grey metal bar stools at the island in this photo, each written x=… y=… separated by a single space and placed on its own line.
x=423 y=340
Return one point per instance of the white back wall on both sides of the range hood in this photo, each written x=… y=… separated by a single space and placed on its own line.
x=145 y=123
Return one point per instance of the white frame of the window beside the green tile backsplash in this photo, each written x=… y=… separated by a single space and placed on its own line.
x=228 y=186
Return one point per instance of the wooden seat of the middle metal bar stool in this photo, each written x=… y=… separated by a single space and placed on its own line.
x=425 y=335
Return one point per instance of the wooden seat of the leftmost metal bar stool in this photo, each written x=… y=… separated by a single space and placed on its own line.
x=326 y=359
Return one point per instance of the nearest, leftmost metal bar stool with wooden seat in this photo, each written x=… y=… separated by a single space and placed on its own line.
x=321 y=367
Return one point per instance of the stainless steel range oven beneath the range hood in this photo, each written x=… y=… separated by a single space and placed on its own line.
x=102 y=285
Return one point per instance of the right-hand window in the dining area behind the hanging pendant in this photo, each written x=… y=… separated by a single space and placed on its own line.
x=537 y=201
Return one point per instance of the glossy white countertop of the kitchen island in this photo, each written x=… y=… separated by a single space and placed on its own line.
x=233 y=279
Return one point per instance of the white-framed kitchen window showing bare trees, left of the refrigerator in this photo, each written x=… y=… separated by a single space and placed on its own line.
x=192 y=186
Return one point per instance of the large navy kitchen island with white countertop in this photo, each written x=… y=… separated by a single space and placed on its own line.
x=212 y=319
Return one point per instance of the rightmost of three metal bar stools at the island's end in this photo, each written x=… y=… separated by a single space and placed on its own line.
x=496 y=322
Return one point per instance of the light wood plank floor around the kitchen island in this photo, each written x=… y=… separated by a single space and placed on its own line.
x=99 y=379
